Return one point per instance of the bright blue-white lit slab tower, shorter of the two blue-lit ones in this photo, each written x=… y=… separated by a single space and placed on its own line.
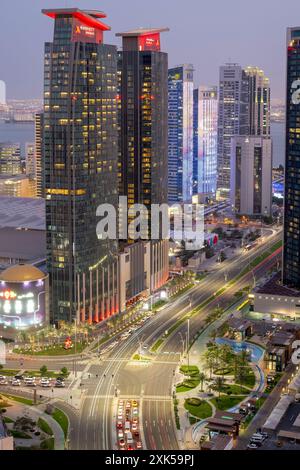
x=205 y=139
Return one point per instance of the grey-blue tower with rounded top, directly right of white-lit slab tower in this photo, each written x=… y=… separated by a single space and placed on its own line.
x=233 y=119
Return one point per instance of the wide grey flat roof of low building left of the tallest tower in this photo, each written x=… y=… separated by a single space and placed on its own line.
x=18 y=212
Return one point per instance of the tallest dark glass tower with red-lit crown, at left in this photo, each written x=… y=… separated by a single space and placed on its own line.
x=80 y=161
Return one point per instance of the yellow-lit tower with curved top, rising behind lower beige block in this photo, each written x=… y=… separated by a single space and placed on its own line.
x=259 y=102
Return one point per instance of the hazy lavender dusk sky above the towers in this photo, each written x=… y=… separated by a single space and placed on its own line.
x=204 y=33
